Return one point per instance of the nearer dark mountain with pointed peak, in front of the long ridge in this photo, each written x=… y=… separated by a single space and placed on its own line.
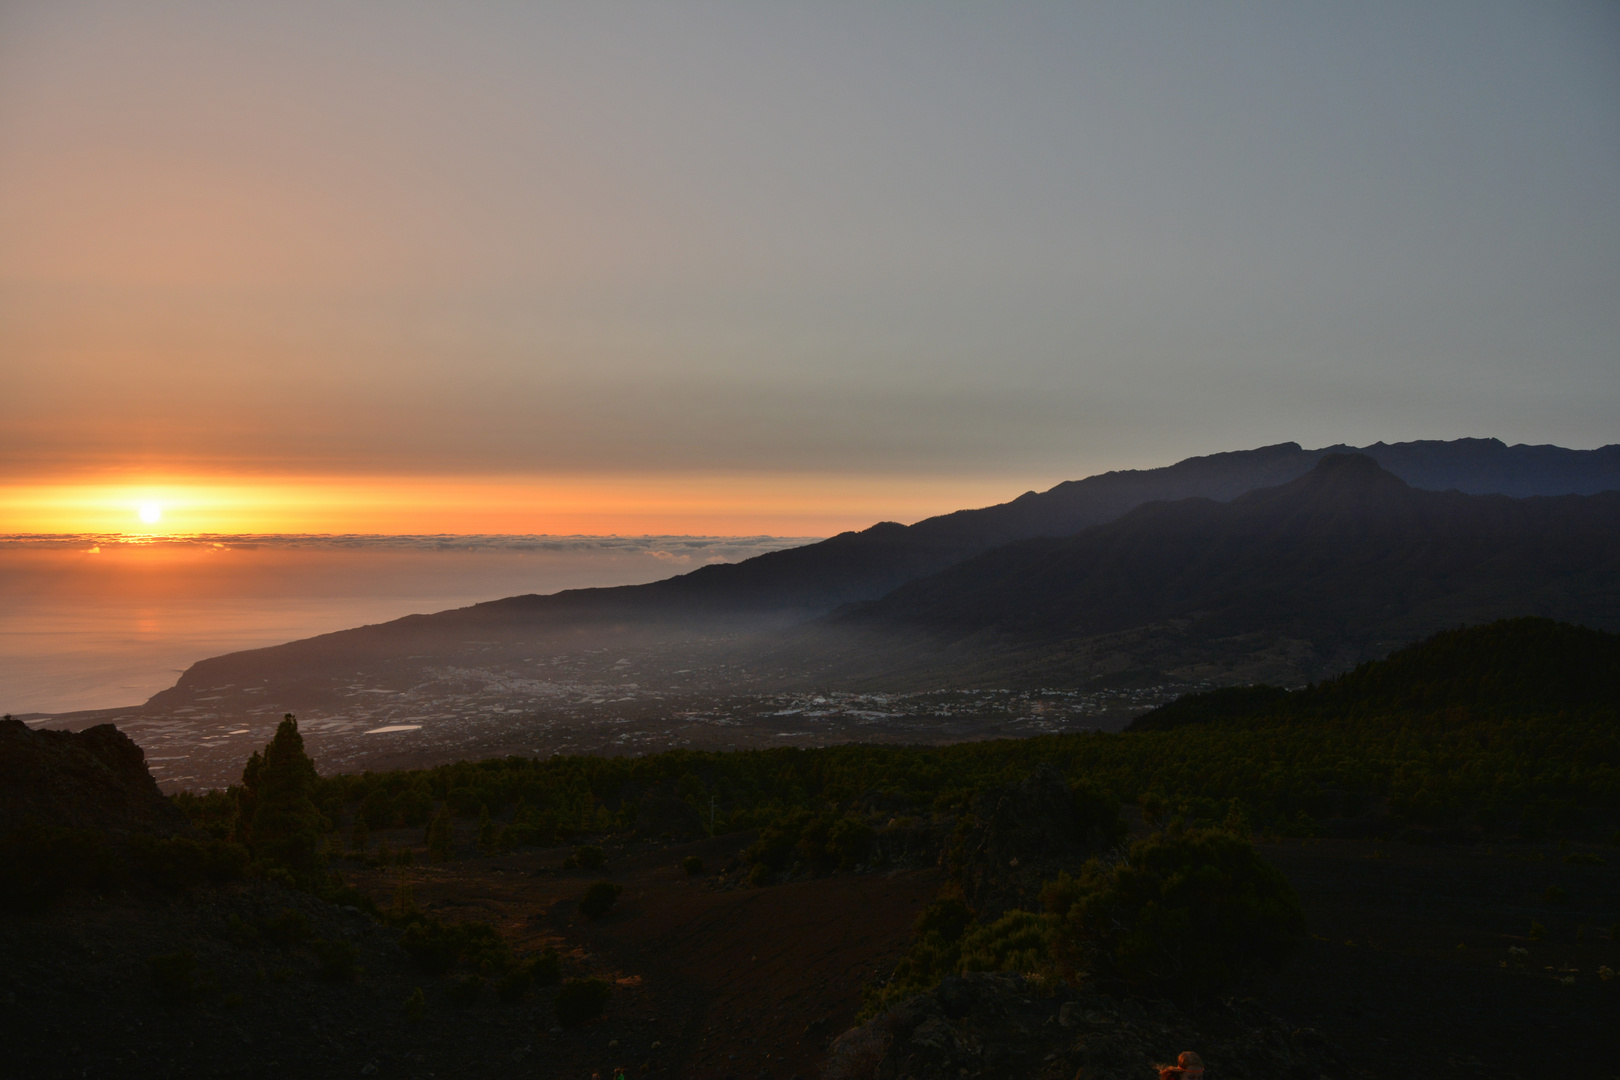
x=1336 y=563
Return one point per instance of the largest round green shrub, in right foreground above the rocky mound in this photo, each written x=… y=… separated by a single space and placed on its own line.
x=1187 y=914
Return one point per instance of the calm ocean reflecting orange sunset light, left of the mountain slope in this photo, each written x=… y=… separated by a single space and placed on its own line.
x=100 y=623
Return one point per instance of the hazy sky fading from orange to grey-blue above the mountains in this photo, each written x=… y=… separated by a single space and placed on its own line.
x=804 y=249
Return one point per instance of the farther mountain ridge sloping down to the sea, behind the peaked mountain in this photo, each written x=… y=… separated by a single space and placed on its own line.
x=785 y=589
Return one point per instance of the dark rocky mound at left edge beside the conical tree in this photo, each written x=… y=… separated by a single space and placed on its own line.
x=92 y=780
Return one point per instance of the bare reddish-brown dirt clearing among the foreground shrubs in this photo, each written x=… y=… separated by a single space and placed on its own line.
x=731 y=982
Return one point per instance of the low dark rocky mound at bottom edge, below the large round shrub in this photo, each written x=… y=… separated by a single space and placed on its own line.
x=1007 y=1027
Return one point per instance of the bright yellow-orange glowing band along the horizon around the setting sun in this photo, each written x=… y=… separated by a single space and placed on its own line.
x=709 y=506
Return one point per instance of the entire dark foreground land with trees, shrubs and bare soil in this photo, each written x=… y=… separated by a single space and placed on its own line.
x=1436 y=856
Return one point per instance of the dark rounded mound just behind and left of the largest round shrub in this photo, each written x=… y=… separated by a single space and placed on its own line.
x=1023 y=835
